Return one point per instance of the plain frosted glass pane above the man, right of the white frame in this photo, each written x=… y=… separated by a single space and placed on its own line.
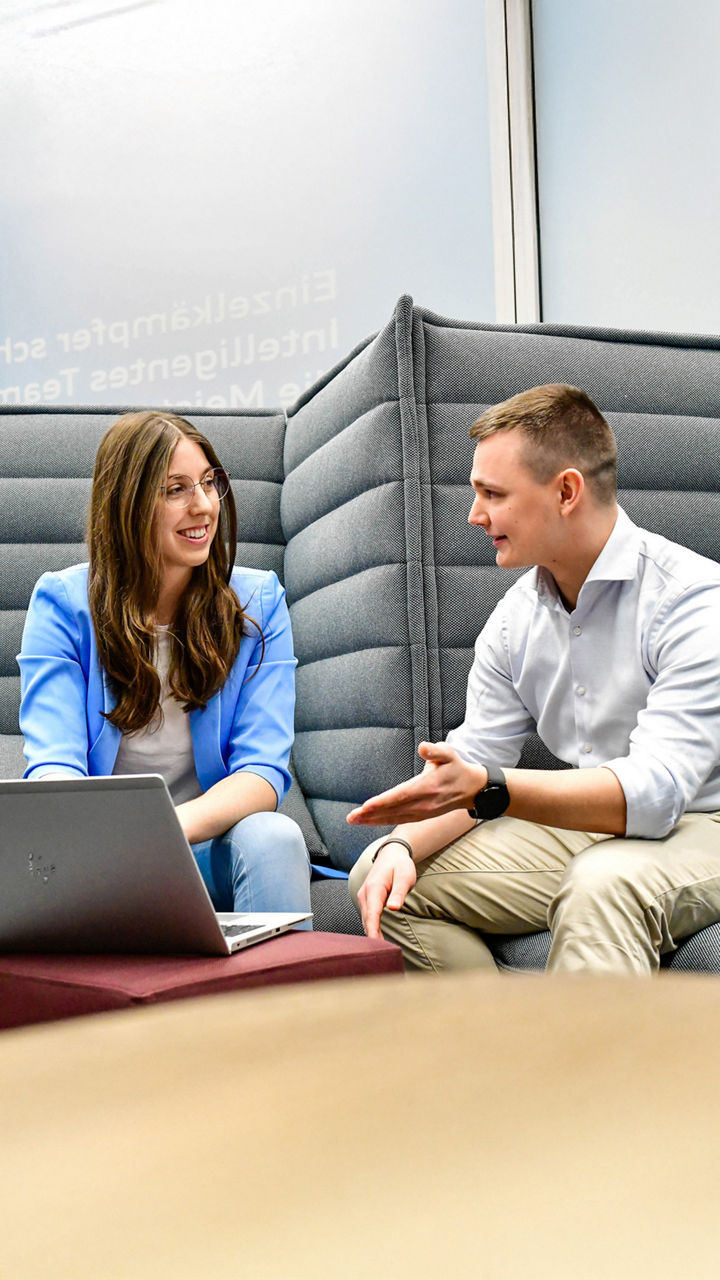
x=627 y=153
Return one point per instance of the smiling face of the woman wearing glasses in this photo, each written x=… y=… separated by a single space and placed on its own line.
x=185 y=534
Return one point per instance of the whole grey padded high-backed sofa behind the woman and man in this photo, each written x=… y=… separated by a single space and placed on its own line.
x=358 y=497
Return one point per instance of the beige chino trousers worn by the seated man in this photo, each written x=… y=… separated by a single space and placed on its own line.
x=614 y=906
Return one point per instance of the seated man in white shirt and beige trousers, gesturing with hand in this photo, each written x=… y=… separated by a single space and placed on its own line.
x=610 y=648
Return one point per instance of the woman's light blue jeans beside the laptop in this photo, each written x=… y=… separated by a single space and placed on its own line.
x=261 y=865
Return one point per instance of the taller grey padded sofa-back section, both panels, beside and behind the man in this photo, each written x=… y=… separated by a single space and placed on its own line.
x=389 y=584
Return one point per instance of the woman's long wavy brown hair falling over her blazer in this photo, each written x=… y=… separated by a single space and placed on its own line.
x=126 y=574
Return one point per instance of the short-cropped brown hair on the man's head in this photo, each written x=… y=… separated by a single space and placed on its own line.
x=562 y=428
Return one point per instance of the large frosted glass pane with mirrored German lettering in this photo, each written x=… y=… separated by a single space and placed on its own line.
x=211 y=204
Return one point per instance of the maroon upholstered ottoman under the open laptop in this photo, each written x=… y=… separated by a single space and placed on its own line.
x=40 y=989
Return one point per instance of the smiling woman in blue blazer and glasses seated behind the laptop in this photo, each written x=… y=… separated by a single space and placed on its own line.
x=145 y=661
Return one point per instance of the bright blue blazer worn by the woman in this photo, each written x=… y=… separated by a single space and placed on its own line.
x=248 y=725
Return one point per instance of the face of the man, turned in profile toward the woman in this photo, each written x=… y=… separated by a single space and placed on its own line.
x=520 y=514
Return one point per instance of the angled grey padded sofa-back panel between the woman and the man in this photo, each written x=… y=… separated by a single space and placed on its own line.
x=352 y=511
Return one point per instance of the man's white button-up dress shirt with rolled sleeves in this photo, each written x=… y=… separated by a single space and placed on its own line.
x=630 y=679
